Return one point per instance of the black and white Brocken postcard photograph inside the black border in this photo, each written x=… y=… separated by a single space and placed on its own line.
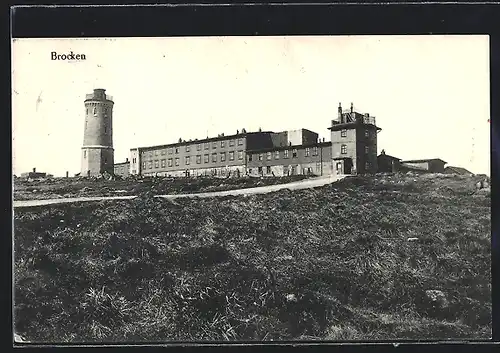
x=251 y=189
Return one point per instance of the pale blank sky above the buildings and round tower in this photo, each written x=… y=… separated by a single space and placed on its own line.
x=429 y=94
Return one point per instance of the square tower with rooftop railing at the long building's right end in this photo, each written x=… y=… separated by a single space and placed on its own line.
x=354 y=142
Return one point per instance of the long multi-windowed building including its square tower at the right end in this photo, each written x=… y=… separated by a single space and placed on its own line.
x=352 y=150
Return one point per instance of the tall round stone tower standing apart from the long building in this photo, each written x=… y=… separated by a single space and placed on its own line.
x=97 y=150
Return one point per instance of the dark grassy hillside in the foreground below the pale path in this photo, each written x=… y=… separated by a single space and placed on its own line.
x=392 y=257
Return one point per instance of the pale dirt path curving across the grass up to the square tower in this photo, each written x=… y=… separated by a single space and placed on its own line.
x=303 y=184
